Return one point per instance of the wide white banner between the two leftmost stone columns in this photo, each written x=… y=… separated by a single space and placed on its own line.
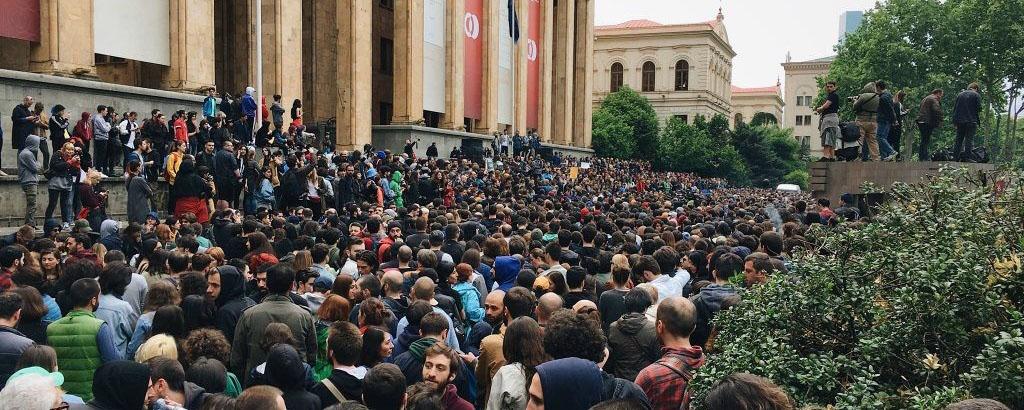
x=137 y=30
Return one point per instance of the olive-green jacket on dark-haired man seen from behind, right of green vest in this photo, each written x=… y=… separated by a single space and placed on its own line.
x=246 y=351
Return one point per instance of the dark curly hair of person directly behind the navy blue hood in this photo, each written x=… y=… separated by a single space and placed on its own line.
x=571 y=336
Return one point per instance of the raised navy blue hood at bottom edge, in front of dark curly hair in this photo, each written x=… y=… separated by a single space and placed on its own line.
x=571 y=384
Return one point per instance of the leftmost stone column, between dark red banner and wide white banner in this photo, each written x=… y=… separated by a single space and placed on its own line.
x=66 y=42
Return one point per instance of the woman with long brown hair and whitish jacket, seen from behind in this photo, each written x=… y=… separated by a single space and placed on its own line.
x=524 y=350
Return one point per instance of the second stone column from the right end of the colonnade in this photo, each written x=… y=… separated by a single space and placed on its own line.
x=562 y=115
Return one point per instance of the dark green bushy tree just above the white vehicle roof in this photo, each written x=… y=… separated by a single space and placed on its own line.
x=771 y=153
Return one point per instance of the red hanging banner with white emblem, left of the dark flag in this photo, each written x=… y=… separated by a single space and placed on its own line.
x=474 y=75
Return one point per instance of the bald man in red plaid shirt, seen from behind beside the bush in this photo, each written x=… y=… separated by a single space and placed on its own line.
x=664 y=381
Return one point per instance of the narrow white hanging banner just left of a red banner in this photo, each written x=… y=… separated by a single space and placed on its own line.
x=434 y=56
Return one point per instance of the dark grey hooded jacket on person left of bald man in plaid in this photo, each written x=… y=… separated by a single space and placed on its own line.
x=633 y=346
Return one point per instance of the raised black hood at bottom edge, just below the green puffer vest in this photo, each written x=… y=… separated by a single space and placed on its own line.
x=120 y=385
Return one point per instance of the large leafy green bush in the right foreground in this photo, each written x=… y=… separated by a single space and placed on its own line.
x=914 y=311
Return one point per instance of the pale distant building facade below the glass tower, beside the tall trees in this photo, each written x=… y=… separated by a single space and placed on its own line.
x=801 y=92
